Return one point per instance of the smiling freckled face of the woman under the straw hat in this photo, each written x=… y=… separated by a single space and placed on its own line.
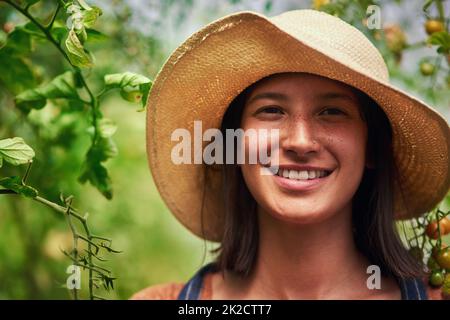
x=322 y=146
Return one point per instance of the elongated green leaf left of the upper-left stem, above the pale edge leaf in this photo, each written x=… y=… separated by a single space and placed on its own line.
x=62 y=86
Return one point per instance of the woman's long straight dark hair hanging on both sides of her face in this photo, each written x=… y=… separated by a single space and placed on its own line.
x=373 y=222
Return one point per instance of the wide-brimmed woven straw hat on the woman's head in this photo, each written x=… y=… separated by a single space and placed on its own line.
x=205 y=73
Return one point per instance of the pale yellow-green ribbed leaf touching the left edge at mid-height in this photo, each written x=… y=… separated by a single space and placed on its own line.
x=15 y=151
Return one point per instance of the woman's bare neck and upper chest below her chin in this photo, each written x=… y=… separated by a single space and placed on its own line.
x=311 y=261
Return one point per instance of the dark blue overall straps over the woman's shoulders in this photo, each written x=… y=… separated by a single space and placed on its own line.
x=411 y=289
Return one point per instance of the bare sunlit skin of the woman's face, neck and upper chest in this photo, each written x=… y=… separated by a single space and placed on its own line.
x=306 y=248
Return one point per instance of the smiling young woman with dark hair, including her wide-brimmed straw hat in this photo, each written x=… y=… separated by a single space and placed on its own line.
x=353 y=154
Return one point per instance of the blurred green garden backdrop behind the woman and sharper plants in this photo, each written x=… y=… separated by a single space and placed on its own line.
x=138 y=37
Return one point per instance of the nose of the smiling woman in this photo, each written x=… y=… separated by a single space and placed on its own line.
x=300 y=137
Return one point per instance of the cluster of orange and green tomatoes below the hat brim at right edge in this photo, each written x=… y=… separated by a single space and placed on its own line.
x=439 y=261
